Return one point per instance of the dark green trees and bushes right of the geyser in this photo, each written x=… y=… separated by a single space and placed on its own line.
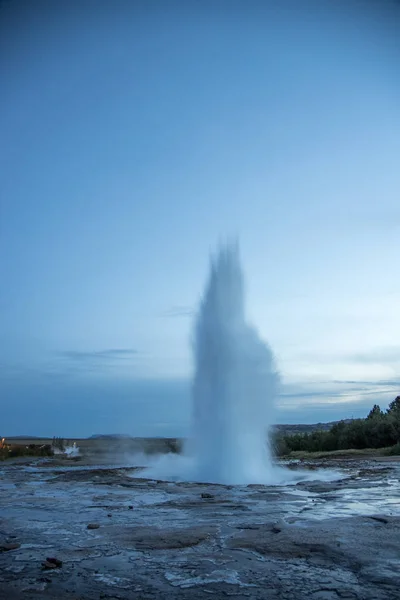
x=380 y=429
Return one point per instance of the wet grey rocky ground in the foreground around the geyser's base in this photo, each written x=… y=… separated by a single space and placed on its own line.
x=111 y=535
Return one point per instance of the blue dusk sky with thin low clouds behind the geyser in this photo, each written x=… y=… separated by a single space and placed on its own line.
x=135 y=136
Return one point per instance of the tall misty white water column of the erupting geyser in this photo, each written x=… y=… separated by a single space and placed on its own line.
x=235 y=383
